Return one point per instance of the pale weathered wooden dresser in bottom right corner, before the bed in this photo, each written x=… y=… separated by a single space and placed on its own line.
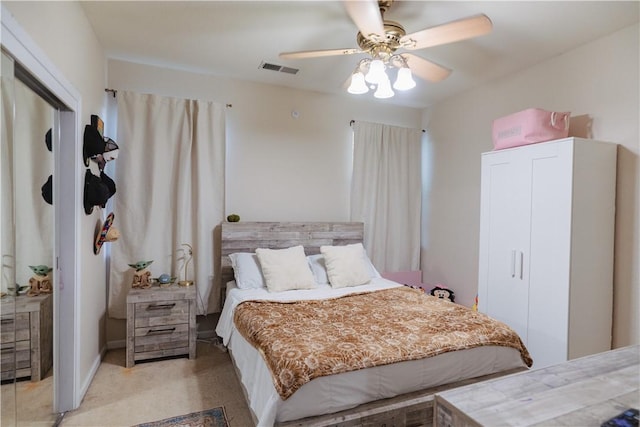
x=580 y=392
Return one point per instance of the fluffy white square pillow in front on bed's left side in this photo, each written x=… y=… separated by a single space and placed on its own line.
x=285 y=269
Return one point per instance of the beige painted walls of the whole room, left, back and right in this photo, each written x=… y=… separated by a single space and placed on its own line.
x=274 y=159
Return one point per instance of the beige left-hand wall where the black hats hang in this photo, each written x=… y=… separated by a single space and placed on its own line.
x=63 y=34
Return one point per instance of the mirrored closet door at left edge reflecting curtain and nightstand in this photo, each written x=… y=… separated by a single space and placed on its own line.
x=26 y=234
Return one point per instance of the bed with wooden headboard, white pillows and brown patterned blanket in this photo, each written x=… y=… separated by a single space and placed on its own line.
x=398 y=389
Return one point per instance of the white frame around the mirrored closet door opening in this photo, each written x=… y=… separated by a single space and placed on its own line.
x=67 y=201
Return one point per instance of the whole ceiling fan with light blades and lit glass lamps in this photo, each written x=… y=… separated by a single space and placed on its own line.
x=381 y=38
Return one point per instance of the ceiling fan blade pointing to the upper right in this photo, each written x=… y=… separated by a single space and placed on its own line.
x=448 y=33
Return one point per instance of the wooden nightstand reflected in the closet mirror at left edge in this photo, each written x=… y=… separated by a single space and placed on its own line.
x=26 y=336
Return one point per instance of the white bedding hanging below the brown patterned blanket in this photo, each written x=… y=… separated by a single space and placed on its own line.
x=343 y=391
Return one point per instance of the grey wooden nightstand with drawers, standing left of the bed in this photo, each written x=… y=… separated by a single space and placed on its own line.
x=161 y=322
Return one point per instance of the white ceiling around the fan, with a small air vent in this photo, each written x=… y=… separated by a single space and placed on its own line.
x=232 y=38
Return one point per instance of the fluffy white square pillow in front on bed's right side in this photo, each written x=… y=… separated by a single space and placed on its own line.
x=346 y=265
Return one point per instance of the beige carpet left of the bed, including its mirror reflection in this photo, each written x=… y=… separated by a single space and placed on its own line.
x=149 y=391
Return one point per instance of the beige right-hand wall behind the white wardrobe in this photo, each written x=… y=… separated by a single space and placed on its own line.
x=598 y=80
